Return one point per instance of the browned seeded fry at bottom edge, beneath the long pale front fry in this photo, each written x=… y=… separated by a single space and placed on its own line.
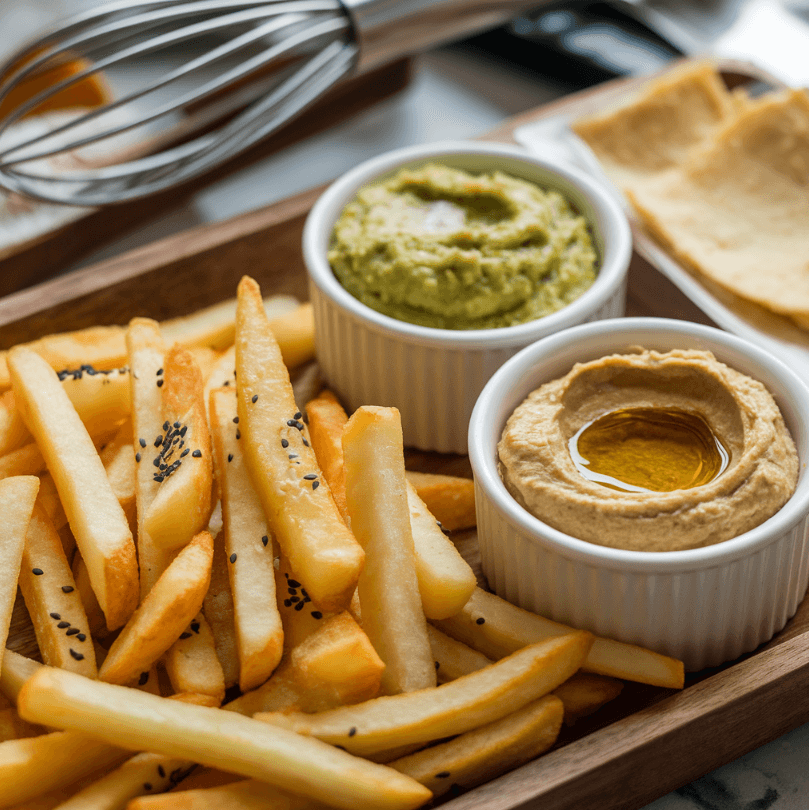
x=143 y=773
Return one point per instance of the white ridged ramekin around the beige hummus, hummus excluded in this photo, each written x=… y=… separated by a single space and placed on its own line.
x=705 y=605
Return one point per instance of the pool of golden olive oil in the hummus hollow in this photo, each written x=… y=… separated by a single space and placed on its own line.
x=648 y=450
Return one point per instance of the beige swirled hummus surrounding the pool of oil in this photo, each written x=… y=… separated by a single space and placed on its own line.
x=538 y=468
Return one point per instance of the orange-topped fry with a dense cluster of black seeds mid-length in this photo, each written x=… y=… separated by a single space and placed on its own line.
x=184 y=469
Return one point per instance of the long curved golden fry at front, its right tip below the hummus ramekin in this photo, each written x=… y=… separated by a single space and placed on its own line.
x=450 y=709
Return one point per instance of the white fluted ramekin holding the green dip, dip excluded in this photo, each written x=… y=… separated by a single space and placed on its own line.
x=433 y=376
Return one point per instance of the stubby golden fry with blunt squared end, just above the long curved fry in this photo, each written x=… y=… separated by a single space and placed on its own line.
x=335 y=666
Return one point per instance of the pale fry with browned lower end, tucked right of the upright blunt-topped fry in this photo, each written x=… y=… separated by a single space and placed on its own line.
x=446 y=581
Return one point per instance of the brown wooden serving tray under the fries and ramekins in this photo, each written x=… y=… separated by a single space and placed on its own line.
x=643 y=745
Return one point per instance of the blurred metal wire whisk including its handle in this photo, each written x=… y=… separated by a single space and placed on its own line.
x=248 y=67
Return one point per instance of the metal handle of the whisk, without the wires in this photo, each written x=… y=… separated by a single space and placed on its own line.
x=389 y=29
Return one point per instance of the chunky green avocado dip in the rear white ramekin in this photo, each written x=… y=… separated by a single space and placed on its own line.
x=439 y=247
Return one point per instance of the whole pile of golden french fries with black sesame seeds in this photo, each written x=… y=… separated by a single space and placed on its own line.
x=240 y=606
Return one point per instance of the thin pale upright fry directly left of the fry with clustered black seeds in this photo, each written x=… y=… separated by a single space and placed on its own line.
x=146 y=354
